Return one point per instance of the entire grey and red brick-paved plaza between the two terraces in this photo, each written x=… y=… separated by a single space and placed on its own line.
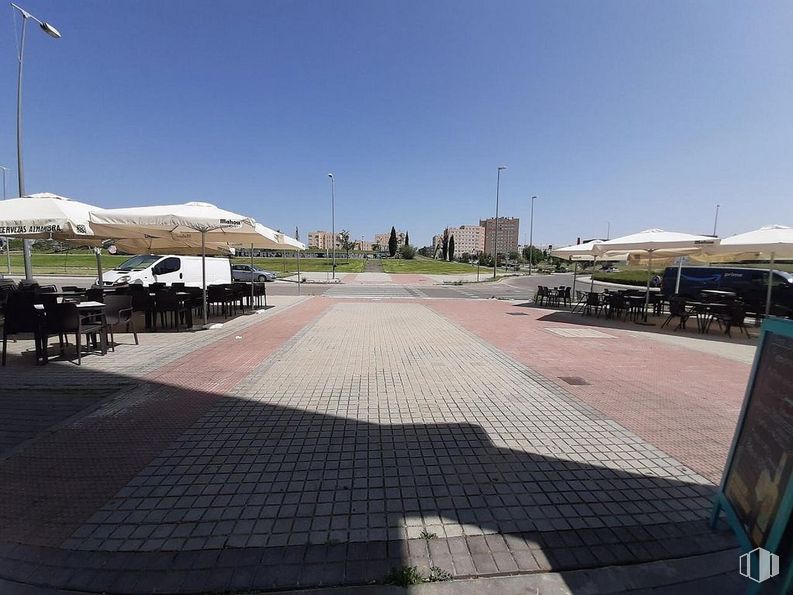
x=332 y=439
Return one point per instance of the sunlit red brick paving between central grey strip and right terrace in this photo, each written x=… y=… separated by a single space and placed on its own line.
x=685 y=402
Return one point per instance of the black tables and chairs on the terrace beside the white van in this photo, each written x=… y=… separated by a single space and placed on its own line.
x=90 y=316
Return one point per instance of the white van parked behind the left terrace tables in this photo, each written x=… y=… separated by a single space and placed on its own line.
x=146 y=269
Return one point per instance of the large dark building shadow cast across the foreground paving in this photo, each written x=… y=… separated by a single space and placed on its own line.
x=170 y=489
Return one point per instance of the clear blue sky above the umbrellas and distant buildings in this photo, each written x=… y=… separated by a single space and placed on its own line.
x=641 y=114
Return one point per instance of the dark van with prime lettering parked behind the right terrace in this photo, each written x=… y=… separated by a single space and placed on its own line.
x=749 y=284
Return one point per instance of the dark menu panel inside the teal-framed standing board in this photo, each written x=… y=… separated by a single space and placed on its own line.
x=761 y=467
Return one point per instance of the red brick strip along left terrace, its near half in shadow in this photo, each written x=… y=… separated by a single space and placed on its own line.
x=51 y=487
